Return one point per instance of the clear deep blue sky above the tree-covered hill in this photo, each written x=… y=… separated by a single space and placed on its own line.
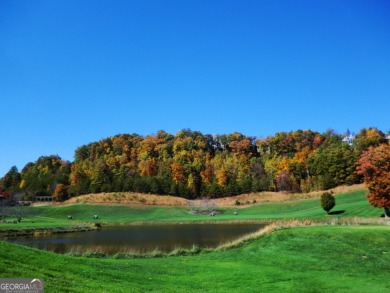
x=73 y=72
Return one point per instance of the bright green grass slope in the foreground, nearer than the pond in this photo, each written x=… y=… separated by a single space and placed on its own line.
x=305 y=259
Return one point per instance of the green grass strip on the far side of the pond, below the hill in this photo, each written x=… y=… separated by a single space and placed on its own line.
x=354 y=204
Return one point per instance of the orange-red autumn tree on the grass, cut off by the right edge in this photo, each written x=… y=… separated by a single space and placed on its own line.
x=374 y=165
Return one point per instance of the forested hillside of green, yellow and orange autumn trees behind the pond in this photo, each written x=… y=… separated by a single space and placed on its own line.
x=191 y=164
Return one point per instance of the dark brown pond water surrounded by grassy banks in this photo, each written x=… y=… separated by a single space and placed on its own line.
x=141 y=238
